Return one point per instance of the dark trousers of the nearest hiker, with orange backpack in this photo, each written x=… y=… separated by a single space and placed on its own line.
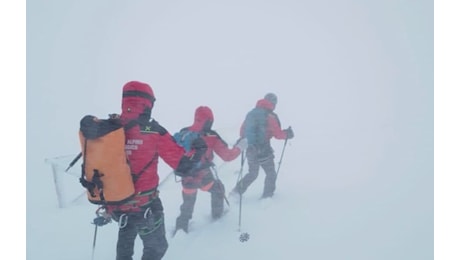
x=150 y=227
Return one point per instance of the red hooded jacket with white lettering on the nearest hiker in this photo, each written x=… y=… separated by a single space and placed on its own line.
x=147 y=140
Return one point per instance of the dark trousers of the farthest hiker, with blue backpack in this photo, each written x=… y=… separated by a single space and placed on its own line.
x=259 y=157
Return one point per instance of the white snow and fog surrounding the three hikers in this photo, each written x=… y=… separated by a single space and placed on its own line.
x=354 y=79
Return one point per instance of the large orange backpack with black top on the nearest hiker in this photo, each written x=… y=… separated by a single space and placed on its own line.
x=105 y=170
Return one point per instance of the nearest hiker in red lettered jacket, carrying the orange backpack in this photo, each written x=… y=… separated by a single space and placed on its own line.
x=146 y=141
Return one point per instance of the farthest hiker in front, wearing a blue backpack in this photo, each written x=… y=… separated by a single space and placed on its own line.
x=259 y=127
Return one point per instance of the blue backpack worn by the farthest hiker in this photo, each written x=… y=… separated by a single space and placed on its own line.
x=255 y=126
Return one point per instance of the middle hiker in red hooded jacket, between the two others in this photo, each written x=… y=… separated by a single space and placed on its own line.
x=204 y=178
